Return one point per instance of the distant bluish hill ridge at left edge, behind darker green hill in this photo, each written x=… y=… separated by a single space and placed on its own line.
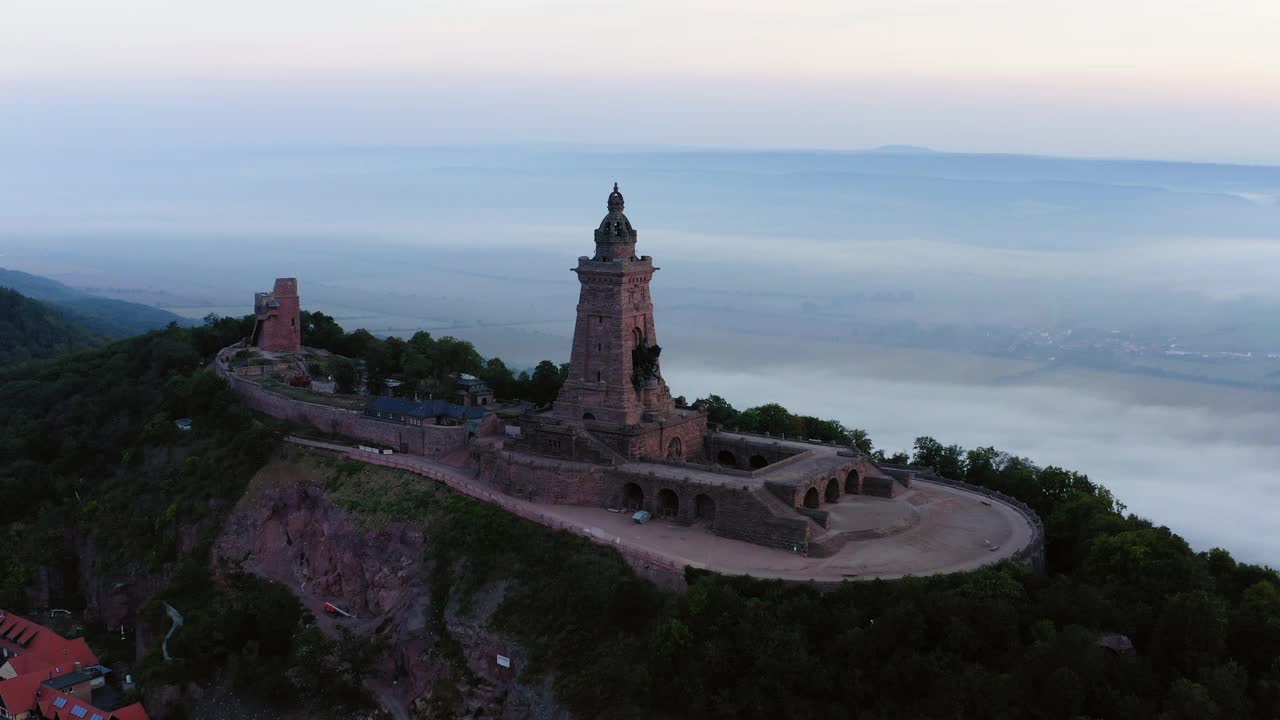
x=103 y=316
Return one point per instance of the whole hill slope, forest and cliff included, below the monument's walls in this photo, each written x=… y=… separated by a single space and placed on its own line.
x=248 y=539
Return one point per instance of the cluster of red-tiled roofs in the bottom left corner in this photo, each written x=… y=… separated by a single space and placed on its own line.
x=48 y=677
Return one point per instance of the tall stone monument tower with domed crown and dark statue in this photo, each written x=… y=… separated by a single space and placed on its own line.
x=615 y=385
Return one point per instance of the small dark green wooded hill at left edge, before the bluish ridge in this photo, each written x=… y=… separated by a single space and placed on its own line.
x=34 y=331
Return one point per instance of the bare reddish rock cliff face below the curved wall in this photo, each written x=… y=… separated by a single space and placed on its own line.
x=287 y=530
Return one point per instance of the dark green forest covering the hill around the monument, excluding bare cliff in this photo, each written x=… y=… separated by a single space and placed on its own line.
x=99 y=493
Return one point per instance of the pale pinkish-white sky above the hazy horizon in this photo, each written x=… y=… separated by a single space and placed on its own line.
x=1168 y=79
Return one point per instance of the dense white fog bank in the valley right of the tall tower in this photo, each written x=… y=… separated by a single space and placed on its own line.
x=1209 y=472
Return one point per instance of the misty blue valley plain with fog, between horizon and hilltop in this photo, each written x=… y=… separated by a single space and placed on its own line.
x=1052 y=308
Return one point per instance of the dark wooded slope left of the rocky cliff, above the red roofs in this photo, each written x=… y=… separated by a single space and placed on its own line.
x=104 y=502
